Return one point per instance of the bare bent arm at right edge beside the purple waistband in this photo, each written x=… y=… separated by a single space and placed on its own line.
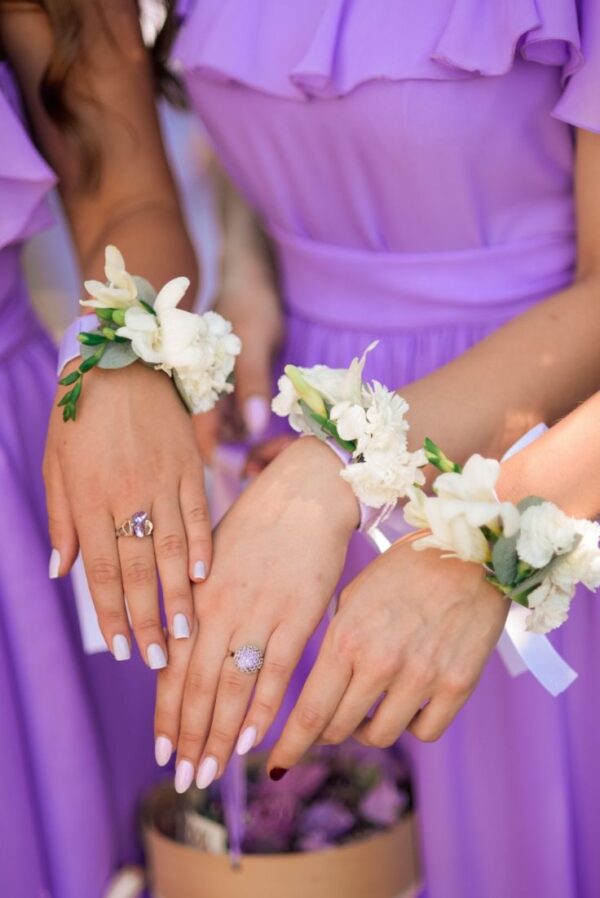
x=538 y=367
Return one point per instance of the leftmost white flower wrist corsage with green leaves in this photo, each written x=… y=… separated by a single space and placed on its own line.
x=131 y=323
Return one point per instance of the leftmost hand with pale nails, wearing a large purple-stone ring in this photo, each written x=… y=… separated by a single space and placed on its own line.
x=131 y=449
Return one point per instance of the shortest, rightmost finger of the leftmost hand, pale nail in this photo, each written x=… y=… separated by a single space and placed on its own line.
x=196 y=520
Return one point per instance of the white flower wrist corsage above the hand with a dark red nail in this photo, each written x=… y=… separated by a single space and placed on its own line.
x=532 y=552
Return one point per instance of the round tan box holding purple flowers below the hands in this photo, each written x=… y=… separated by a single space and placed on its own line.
x=381 y=865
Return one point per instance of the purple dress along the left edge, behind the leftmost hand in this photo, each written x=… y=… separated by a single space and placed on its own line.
x=75 y=731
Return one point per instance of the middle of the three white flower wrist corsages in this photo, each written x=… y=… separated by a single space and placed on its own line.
x=366 y=421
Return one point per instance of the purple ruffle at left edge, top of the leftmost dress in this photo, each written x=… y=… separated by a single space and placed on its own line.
x=25 y=179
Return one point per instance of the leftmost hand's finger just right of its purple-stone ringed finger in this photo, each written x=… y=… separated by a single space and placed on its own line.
x=170 y=549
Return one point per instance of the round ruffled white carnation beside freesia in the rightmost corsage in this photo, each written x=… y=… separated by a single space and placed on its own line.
x=545 y=532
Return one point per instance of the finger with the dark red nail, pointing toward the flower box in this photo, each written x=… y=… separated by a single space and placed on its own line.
x=314 y=709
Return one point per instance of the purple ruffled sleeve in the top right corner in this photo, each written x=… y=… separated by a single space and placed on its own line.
x=579 y=104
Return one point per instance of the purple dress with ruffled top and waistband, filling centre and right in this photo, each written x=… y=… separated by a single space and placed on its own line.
x=413 y=162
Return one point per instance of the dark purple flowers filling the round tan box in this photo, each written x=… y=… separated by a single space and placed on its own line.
x=334 y=796
